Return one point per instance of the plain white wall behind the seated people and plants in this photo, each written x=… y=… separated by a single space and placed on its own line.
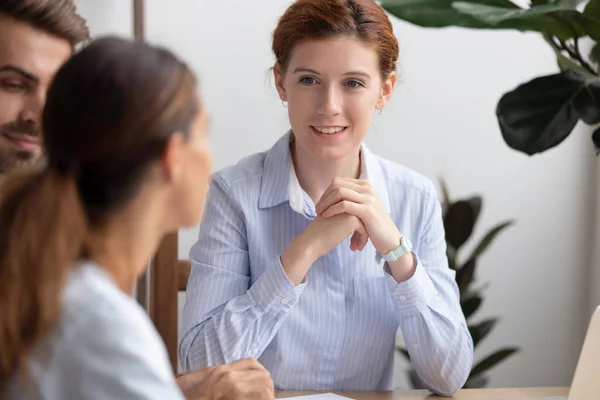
x=441 y=122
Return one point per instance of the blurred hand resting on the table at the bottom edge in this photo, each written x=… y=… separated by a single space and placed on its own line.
x=242 y=380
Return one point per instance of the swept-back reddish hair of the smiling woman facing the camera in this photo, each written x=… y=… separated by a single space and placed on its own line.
x=323 y=19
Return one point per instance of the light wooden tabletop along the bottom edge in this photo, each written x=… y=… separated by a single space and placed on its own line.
x=465 y=394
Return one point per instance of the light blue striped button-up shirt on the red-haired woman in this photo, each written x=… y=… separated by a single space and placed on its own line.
x=337 y=330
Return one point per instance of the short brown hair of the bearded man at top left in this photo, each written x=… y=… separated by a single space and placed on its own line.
x=57 y=17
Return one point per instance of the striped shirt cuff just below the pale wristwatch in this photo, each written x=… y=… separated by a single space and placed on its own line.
x=413 y=294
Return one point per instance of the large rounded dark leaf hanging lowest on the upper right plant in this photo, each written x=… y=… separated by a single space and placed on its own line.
x=541 y=113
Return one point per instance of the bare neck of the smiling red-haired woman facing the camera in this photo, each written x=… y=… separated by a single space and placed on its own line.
x=315 y=175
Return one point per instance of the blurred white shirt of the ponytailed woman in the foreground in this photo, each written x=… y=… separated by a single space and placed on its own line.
x=102 y=347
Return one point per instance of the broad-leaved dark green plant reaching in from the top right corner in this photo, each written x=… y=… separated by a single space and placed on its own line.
x=539 y=114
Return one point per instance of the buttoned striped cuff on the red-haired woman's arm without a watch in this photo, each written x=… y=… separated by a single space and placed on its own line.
x=273 y=292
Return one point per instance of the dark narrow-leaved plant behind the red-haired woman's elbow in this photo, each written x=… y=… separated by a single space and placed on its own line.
x=460 y=218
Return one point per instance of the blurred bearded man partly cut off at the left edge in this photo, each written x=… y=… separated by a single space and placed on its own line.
x=36 y=38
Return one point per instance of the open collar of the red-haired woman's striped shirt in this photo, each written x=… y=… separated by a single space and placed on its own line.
x=280 y=183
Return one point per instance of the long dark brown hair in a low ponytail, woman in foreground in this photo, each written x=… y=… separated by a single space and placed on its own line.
x=110 y=111
